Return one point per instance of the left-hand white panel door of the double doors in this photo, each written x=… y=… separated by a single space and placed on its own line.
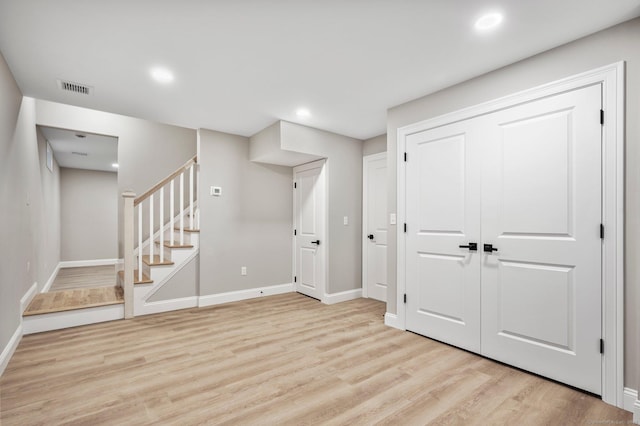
x=443 y=216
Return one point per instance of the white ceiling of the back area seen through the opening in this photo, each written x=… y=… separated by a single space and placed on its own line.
x=91 y=152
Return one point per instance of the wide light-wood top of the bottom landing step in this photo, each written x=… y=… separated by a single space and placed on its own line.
x=70 y=300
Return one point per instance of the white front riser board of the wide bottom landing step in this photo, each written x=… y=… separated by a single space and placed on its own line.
x=58 y=320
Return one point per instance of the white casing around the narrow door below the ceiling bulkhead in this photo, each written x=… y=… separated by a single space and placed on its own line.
x=323 y=163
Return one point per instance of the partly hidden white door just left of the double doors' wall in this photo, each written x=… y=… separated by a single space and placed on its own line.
x=375 y=227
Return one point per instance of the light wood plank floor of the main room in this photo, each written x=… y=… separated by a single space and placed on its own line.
x=283 y=359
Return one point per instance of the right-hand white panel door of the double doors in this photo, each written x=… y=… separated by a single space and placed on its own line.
x=541 y=212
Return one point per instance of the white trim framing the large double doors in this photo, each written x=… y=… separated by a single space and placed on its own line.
x=612 y=79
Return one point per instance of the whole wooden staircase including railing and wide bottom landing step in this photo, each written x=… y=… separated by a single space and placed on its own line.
x=162 y=248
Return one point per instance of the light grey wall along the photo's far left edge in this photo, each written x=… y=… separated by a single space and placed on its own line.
x=30 y=238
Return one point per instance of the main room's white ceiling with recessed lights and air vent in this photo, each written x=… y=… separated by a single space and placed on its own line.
x=241 y=65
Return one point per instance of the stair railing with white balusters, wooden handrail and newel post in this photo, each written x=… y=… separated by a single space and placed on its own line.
x=131 y=203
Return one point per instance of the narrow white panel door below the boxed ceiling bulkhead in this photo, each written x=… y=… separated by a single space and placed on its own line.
x=310 y=240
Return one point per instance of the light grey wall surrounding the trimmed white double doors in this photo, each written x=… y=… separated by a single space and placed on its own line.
x=603 y=48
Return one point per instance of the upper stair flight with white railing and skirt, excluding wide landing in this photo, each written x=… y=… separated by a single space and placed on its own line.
x=168 y=245
